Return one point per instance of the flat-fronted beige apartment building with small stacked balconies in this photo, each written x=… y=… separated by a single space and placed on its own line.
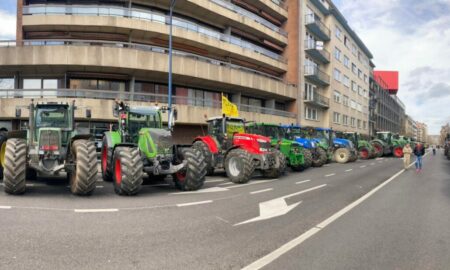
x=336 y=71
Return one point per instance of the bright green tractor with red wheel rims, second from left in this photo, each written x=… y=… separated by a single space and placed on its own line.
x=141 y=145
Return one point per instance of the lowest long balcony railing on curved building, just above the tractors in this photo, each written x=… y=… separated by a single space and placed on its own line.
x=128 y=96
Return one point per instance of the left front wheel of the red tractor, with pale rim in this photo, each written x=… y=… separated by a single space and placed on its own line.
x=239 y=166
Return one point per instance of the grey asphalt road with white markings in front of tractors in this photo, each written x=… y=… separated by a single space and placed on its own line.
x=334 y=217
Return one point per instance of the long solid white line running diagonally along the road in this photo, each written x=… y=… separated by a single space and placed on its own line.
x=269 y=258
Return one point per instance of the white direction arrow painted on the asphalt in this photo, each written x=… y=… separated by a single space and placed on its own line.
x=276 y=207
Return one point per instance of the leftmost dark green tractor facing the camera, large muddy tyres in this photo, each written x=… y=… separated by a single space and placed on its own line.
x=50 y=144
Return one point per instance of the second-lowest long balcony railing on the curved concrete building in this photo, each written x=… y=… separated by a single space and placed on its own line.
x=113 y=44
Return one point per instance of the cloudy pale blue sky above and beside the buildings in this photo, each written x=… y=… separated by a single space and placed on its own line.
x=411 y=36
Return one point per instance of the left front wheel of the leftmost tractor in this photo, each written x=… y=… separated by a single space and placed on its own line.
x=15 y=166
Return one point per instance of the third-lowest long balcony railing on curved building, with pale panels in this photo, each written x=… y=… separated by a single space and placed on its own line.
x=147 y=15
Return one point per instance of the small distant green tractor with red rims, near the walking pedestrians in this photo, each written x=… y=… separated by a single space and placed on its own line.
x=387 y=143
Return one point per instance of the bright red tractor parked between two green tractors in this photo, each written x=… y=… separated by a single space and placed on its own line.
x=240 y=154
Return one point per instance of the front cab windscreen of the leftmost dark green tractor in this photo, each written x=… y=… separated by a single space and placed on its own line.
x=56 y=117
